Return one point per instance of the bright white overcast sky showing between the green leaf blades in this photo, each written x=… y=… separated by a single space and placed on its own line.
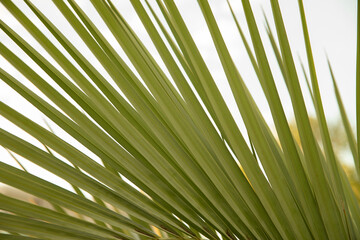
x=332 y=26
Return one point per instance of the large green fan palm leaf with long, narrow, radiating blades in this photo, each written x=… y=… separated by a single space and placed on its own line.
x=161 y=154
